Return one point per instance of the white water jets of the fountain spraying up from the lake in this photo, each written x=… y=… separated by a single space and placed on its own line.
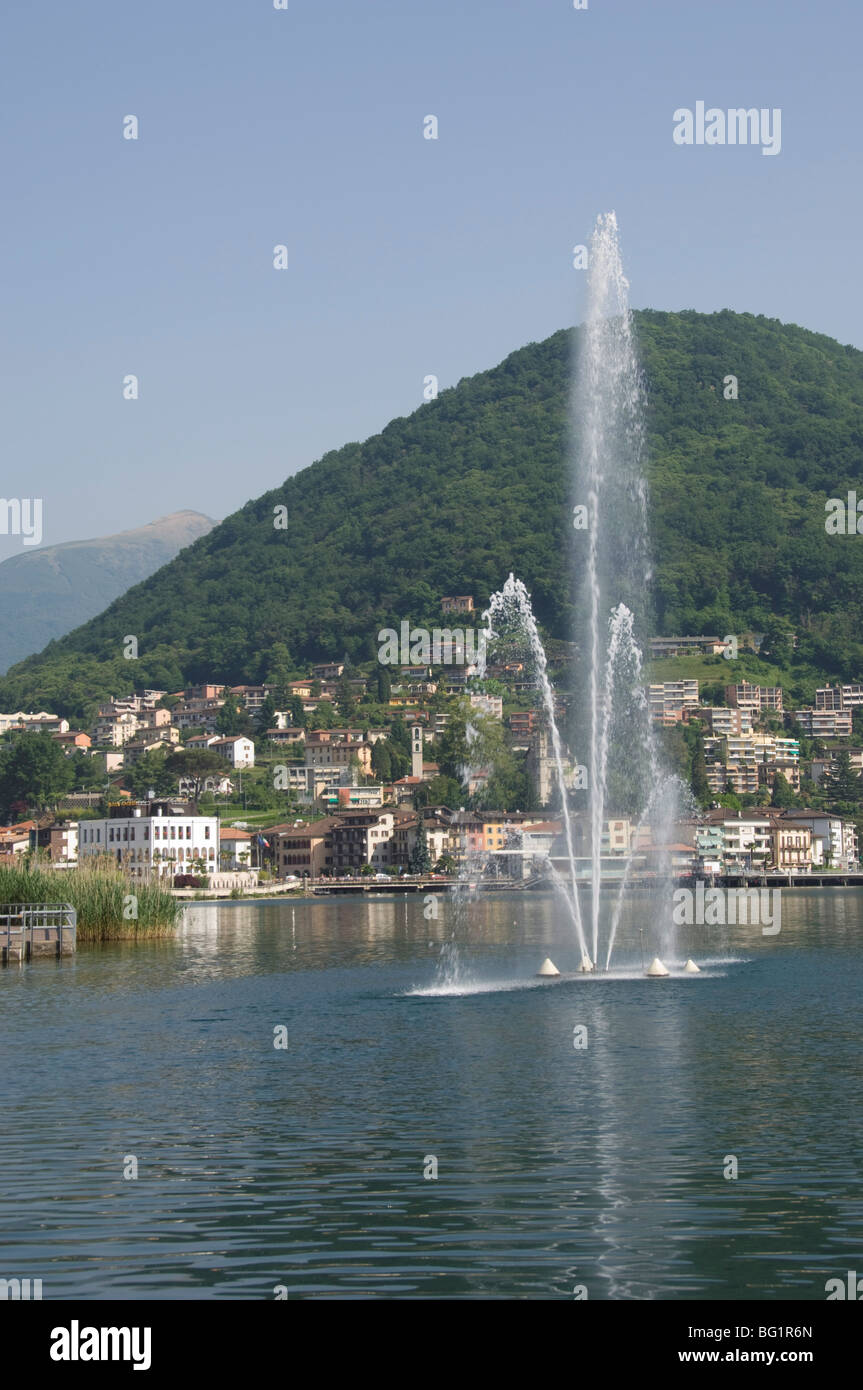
x=625 y=769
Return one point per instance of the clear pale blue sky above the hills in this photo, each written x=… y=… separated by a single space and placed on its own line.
x=406 y=256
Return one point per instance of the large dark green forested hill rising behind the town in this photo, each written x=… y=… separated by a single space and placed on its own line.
x=475 y=484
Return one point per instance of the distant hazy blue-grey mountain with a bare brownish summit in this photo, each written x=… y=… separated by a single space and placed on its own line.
x=51 y=591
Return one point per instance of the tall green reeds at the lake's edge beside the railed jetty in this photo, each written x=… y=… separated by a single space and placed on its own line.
x=102 y=896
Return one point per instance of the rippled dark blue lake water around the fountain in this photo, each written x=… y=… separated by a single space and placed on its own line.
x=558 y=1167
